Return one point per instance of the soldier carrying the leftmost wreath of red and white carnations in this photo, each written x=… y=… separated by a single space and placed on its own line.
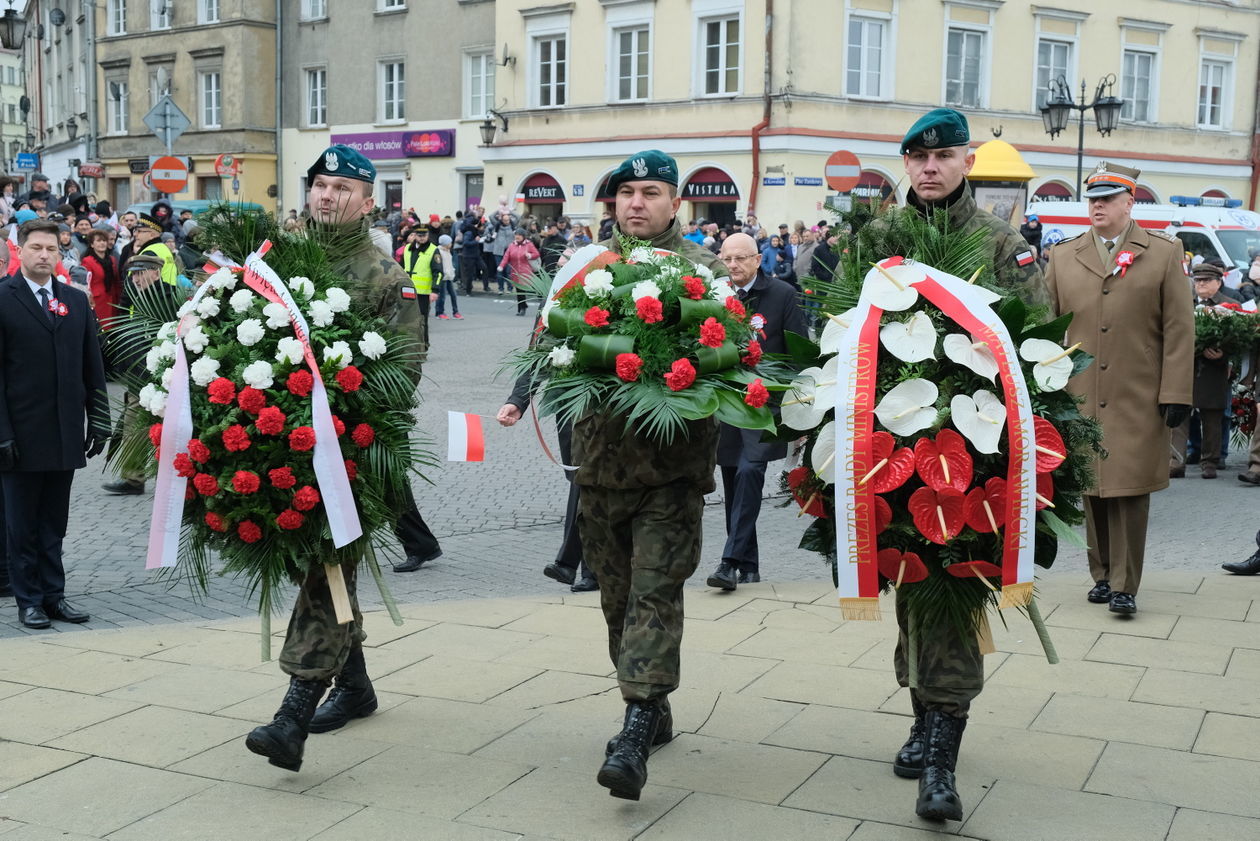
x=317 y=647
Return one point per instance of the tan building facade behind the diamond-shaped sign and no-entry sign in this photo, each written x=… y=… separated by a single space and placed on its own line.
x=217 y=61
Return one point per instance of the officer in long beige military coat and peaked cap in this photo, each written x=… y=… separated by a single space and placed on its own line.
x=1130 y=294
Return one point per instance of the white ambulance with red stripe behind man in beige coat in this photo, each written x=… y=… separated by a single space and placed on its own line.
x=1208 y=228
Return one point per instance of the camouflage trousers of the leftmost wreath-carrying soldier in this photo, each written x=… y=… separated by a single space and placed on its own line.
x=316 y=645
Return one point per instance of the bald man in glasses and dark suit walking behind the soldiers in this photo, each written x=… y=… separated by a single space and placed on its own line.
x=742 y=455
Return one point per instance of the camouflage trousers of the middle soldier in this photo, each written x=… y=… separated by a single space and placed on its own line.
x=643 y=544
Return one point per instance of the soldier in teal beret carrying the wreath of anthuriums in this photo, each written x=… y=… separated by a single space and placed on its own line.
x=951 y=668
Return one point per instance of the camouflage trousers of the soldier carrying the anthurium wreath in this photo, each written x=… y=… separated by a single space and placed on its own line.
x=951 y=668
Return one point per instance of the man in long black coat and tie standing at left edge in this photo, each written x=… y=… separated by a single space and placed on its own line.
x=54 y=413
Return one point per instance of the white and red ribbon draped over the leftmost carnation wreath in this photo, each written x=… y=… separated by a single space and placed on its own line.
x=335 y=484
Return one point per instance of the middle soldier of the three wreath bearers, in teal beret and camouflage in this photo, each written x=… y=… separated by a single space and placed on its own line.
x=639 y=511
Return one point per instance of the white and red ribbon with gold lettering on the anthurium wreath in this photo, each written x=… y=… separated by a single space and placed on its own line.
x=857 y=569
